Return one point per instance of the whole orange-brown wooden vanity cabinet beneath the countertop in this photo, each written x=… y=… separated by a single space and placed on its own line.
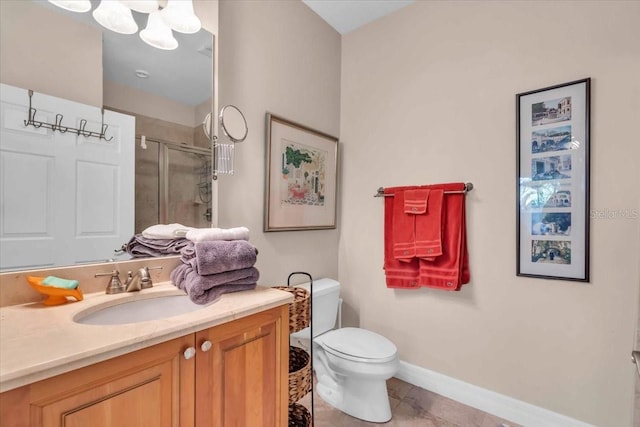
x=237 y=376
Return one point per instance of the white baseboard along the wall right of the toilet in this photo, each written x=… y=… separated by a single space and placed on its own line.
x=494 y=403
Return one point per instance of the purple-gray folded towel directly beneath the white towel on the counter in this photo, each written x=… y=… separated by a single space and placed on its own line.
x=217 y=256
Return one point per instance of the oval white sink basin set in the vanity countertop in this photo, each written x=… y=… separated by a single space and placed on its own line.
x=138 y=310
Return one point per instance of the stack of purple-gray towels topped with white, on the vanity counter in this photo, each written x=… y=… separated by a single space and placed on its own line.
x=216 y=261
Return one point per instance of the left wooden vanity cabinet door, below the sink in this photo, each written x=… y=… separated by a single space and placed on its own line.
x=151 y=387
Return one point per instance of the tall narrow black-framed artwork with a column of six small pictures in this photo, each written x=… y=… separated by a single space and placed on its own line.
x=552 y=190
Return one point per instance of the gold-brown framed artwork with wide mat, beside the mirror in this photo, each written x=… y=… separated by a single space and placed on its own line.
x=301 y=181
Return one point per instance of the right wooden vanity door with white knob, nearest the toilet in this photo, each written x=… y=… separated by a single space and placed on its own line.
x=242 y=379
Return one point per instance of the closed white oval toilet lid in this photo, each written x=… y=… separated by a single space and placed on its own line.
x=359 y=343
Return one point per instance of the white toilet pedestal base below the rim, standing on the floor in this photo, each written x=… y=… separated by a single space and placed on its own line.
x=364 y=399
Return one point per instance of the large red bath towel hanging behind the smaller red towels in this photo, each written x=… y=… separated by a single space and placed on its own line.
x=448 y=271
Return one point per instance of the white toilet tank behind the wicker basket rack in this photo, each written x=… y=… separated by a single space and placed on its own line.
x=325 y=299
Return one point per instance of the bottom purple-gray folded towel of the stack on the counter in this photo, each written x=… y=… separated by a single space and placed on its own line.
x=206 y=289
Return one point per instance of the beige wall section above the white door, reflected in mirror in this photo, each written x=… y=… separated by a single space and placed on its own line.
x=50 y=53
